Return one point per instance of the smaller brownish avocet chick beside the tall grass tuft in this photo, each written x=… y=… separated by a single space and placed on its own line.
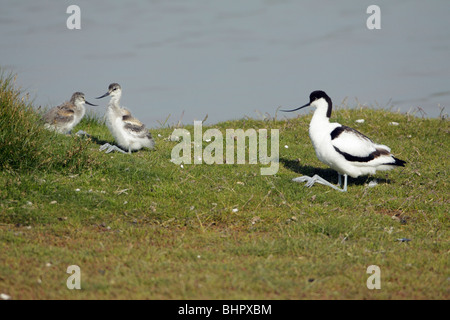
x=66 y=116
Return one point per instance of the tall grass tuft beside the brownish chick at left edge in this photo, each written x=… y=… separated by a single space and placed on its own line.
x=24 y=143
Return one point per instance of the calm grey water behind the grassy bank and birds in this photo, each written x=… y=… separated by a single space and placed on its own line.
x=230 y=58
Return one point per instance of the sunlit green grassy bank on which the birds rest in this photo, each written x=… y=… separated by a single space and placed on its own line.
x=141 y=227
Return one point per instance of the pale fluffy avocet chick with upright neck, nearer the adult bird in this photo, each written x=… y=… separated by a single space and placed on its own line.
x=129 y=133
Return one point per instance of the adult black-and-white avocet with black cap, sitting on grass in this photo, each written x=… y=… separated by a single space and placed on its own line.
x=344 y=149
